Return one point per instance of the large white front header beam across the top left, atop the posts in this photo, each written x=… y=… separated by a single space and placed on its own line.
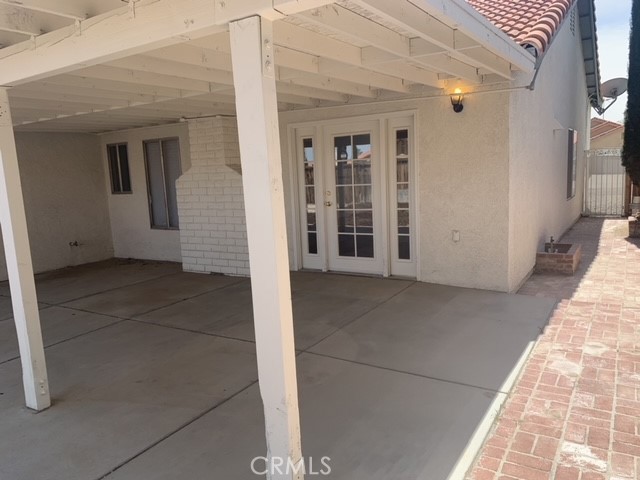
x=130 y=30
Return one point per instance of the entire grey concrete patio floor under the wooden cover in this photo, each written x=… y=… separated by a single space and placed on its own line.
x=154 y=396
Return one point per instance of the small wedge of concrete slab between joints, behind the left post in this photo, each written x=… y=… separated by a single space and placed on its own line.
x=58 y=324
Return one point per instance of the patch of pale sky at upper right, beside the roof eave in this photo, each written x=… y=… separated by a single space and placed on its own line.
x=612 y=19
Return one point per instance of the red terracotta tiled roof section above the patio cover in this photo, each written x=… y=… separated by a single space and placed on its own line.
x=528 y=22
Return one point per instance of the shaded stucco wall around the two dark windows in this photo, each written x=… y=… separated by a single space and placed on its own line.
x=130 y=223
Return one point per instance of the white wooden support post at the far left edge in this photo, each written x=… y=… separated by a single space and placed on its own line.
x=19 y=267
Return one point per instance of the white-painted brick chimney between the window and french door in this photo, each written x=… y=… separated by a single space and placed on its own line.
x=213 y=234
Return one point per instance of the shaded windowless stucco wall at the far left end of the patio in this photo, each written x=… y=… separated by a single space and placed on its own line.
x=63 y=185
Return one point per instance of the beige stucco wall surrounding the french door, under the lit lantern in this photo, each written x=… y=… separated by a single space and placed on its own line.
x=462 y=185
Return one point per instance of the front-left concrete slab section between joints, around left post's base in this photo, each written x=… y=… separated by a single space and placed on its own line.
x=115 y=392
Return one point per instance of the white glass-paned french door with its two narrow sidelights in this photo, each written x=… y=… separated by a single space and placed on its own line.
x=356 y=196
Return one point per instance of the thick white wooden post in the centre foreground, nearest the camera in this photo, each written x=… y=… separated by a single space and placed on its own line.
x=256 y=105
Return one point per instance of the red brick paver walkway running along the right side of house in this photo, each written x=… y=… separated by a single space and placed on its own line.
x=574 y=413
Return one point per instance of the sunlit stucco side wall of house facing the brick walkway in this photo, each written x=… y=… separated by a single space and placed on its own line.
x=539 y=120
